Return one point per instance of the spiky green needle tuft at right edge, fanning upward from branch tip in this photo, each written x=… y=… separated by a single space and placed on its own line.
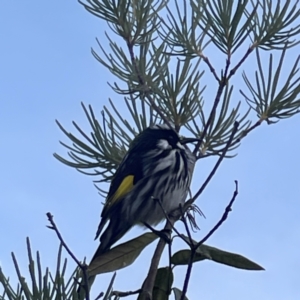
x=274 y=96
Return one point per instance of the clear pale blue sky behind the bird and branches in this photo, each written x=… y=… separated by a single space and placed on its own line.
x=46 y=71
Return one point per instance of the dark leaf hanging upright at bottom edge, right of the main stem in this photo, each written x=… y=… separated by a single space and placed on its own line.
x=163 y=283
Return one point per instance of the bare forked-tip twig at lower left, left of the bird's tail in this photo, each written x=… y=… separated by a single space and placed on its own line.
x=79 y=264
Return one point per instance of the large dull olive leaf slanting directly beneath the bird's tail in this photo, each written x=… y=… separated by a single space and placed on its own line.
x=121 y=256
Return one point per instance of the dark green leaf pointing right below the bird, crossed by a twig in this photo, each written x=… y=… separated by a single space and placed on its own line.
x=223 y=257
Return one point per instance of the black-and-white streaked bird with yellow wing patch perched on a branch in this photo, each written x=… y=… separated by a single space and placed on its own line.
x=158 y=166
